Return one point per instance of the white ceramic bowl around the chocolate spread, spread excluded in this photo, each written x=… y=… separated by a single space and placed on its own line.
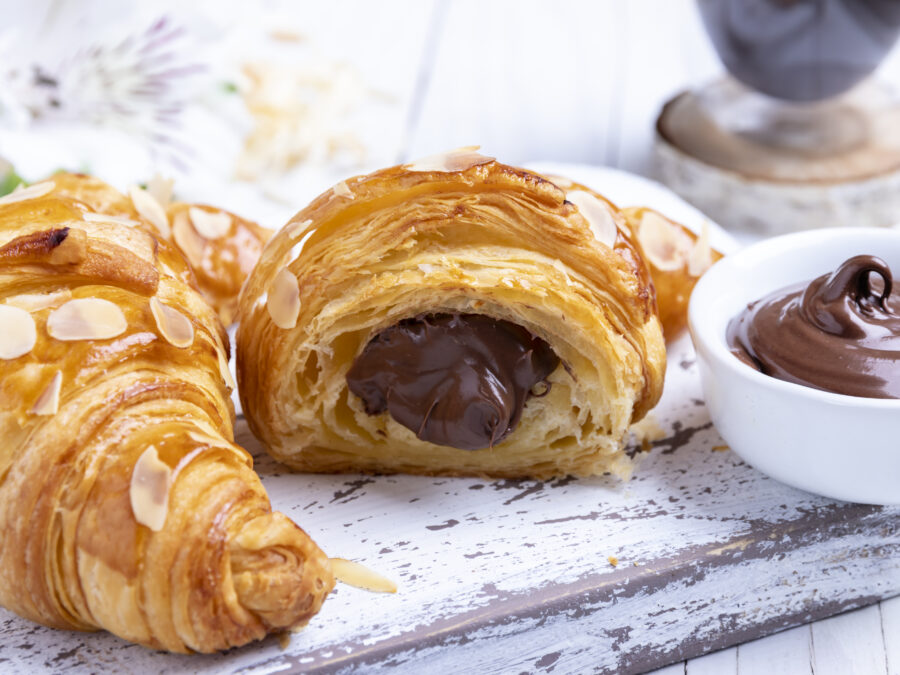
x=838 y=446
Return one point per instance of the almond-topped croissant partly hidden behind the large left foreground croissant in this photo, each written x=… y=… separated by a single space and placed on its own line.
x=220 y=246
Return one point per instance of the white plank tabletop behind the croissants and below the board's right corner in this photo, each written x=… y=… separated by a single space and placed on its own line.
x=567 y=81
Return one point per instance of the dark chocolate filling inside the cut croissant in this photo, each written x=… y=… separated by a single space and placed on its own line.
x=459 y=380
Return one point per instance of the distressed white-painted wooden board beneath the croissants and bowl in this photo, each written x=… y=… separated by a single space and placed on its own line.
x=516 y=575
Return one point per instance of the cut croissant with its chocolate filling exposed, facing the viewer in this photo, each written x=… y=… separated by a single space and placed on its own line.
x=453 y=316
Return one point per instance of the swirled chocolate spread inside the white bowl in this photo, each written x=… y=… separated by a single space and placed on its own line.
x=839 y=334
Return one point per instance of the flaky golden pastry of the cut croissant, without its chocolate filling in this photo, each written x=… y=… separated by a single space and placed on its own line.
x=484 y=238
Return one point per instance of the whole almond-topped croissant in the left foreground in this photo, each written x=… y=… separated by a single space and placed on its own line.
x=124 y=503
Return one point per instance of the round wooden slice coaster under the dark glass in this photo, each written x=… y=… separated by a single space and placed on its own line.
x=850 y=175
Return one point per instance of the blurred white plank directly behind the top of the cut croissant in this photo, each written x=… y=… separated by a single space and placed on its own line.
x=509 y=70
